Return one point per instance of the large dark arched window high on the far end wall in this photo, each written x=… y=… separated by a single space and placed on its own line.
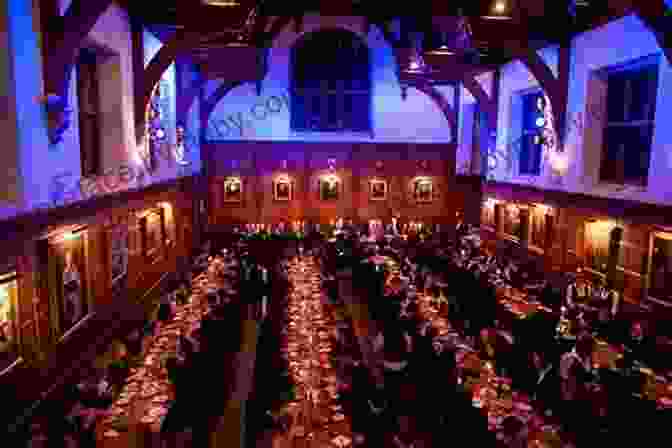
x=331 y=83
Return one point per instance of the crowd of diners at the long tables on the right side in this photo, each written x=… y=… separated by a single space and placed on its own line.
x=568 y=362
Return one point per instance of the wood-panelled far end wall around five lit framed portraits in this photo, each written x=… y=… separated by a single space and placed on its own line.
x=258 y=163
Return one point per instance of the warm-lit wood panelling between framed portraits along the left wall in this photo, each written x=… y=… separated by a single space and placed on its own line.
x=34 y=310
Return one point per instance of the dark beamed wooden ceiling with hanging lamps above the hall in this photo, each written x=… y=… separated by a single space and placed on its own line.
x=535 y=23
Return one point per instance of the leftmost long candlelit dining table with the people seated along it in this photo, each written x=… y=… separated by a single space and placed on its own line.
x=146 y=390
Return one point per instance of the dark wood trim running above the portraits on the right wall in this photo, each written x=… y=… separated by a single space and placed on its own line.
x=631 y=211
